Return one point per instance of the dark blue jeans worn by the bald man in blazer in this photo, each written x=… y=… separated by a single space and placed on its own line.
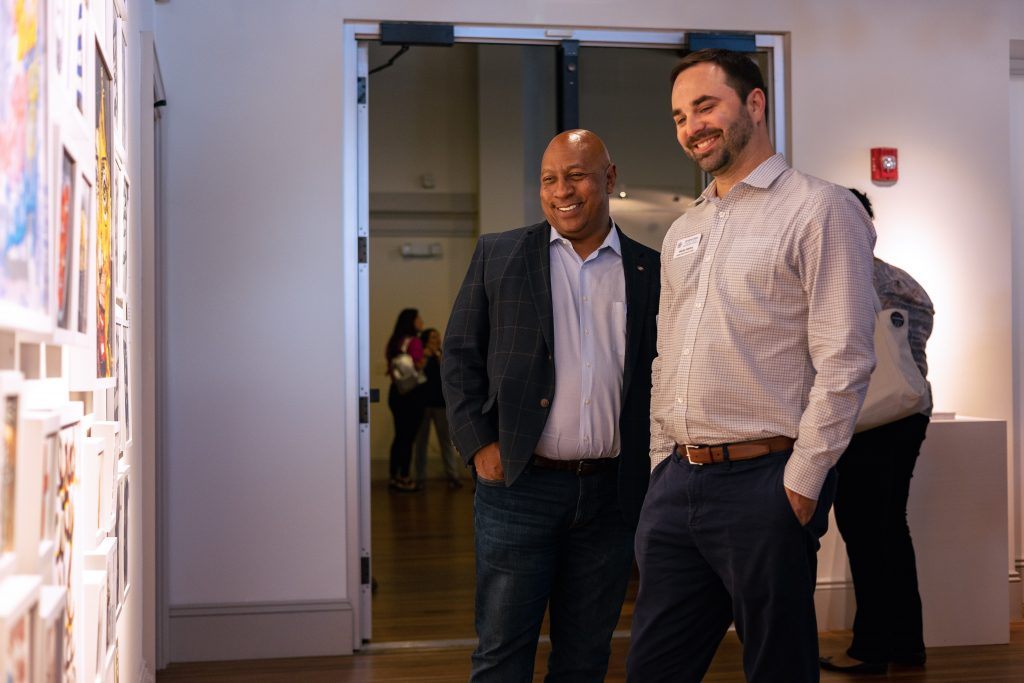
x=552 y=539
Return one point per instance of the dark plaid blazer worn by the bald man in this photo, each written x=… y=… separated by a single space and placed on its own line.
x=498 y=369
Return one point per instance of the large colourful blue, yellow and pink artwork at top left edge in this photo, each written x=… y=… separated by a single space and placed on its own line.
x=24 y=227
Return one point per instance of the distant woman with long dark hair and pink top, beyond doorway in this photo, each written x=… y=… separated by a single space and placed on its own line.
x=407 y=409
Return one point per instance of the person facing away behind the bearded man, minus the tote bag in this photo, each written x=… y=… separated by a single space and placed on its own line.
x=874 y=486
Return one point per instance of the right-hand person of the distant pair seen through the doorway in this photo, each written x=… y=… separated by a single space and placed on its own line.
x=434 y=412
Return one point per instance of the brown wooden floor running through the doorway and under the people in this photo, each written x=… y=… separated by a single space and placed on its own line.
x=423 y=621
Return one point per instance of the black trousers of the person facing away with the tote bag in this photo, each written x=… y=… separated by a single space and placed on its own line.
x=871 y=514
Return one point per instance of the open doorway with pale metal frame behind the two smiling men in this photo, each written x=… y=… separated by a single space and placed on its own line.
x=450 y=150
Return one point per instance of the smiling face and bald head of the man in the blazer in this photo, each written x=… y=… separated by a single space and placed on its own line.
x=577 y=178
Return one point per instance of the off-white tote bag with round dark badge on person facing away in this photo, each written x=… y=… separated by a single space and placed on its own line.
x=898 y=389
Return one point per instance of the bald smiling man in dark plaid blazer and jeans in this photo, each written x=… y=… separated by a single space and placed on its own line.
x=547 y=379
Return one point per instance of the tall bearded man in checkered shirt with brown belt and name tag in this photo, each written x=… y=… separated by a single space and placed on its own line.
x=765 y=350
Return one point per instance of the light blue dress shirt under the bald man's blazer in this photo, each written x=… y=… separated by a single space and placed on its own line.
x=588 y=300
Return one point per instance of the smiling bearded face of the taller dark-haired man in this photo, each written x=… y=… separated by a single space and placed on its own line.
x=713 y=126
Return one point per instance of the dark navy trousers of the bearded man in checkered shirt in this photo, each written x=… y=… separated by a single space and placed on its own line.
x=719 y=544
